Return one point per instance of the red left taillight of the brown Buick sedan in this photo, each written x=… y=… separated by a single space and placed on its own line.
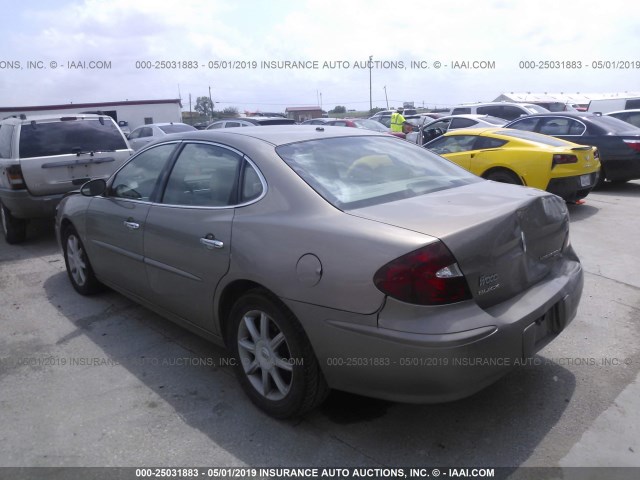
x=427 y=276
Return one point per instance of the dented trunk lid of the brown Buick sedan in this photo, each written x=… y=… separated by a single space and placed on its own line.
x=505 y=238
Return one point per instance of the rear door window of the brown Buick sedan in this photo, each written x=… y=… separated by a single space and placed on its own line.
x=205 y=176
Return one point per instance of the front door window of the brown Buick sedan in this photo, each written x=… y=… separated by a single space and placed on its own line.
x=137 y=179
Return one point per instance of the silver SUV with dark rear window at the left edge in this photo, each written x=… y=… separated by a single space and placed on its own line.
x=42 y=157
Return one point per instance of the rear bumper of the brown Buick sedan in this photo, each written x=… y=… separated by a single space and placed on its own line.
x=439 y=354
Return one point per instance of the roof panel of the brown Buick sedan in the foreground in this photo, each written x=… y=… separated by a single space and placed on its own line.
x=276 y=134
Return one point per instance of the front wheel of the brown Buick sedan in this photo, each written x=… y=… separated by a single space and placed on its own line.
x=77 y=262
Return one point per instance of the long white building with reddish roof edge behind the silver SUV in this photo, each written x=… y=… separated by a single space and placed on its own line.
x=135 y=112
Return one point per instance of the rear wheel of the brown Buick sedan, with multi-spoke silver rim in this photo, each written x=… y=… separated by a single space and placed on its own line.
x=275 y=362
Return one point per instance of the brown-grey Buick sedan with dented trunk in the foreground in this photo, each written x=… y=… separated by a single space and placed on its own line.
x=327 y=257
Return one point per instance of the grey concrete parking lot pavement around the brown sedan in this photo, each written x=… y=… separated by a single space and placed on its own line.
x=101 y=381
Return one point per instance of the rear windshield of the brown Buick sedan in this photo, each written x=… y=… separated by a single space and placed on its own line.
x=355 y=172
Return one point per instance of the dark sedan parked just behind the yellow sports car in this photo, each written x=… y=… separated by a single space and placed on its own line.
x=617 y=141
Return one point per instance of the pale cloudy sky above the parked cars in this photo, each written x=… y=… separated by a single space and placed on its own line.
x=46 y=44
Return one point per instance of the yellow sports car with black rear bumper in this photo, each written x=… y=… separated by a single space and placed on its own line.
x=524 y=158
